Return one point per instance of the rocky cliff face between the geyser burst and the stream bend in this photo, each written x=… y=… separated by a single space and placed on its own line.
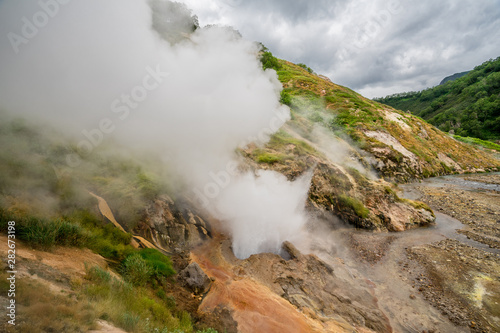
x=343 y=191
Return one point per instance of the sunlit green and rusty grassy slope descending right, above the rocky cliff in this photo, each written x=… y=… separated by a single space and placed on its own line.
x=343 y=110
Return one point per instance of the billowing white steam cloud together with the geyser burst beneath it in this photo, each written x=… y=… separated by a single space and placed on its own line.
x=98 y=69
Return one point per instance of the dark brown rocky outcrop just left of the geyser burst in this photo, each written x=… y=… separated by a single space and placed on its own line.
x=173 y=226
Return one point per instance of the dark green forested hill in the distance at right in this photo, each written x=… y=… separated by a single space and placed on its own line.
x=468 y=106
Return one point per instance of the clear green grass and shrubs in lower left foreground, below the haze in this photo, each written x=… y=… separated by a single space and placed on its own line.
x=139 y=304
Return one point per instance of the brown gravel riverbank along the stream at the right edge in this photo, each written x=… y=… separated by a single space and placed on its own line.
x=460 y=276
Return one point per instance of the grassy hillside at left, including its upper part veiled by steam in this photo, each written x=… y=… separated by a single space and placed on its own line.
x=51 y=205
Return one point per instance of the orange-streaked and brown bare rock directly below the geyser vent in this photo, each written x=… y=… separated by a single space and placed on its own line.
x=267 y=290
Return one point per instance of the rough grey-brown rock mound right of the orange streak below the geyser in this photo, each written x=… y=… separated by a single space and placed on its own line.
x=311 y=285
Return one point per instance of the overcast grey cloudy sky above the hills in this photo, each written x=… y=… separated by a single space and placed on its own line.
x=374 y=47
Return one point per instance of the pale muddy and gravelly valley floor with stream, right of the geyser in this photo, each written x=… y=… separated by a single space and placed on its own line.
x=445 y=278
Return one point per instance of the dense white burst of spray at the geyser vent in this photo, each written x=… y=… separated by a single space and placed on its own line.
x=262 y=210
